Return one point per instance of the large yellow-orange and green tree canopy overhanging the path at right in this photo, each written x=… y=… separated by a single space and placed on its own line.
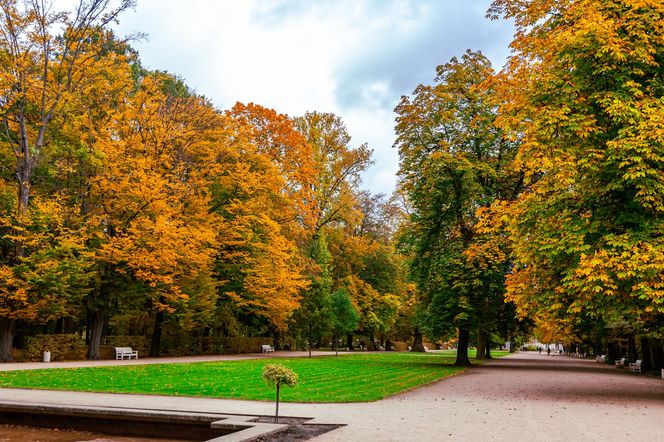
x=583 y=92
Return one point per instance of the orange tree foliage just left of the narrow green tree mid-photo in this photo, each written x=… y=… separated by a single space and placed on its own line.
x=263 y=197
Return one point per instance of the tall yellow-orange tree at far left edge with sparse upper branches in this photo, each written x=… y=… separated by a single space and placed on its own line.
x=47 y=59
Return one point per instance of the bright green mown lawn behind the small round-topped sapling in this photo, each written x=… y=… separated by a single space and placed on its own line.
x=347 y=378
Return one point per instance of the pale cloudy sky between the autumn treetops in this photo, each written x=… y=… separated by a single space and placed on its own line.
x=354 y=58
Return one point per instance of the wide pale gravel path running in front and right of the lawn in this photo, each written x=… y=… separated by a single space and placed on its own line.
x=522 y=397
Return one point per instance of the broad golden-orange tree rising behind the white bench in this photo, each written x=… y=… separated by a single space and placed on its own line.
x=153 y=234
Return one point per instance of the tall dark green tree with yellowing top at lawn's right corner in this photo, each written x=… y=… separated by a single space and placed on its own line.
x=453 y=162
